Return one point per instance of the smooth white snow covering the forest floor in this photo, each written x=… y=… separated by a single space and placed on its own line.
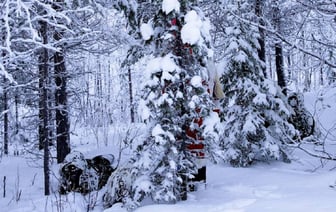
x=303 y=185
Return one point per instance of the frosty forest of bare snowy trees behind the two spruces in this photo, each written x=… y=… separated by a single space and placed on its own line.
x=70 y=65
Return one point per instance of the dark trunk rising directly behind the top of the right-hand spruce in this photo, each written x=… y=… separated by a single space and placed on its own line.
x=261 y=39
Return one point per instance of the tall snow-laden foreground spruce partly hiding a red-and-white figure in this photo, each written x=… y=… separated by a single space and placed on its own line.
x=174 y=100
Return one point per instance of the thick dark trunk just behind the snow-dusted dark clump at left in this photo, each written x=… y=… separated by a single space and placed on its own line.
x=61 y=99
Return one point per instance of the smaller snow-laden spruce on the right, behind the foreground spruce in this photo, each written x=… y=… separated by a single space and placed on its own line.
x=255 y=111
